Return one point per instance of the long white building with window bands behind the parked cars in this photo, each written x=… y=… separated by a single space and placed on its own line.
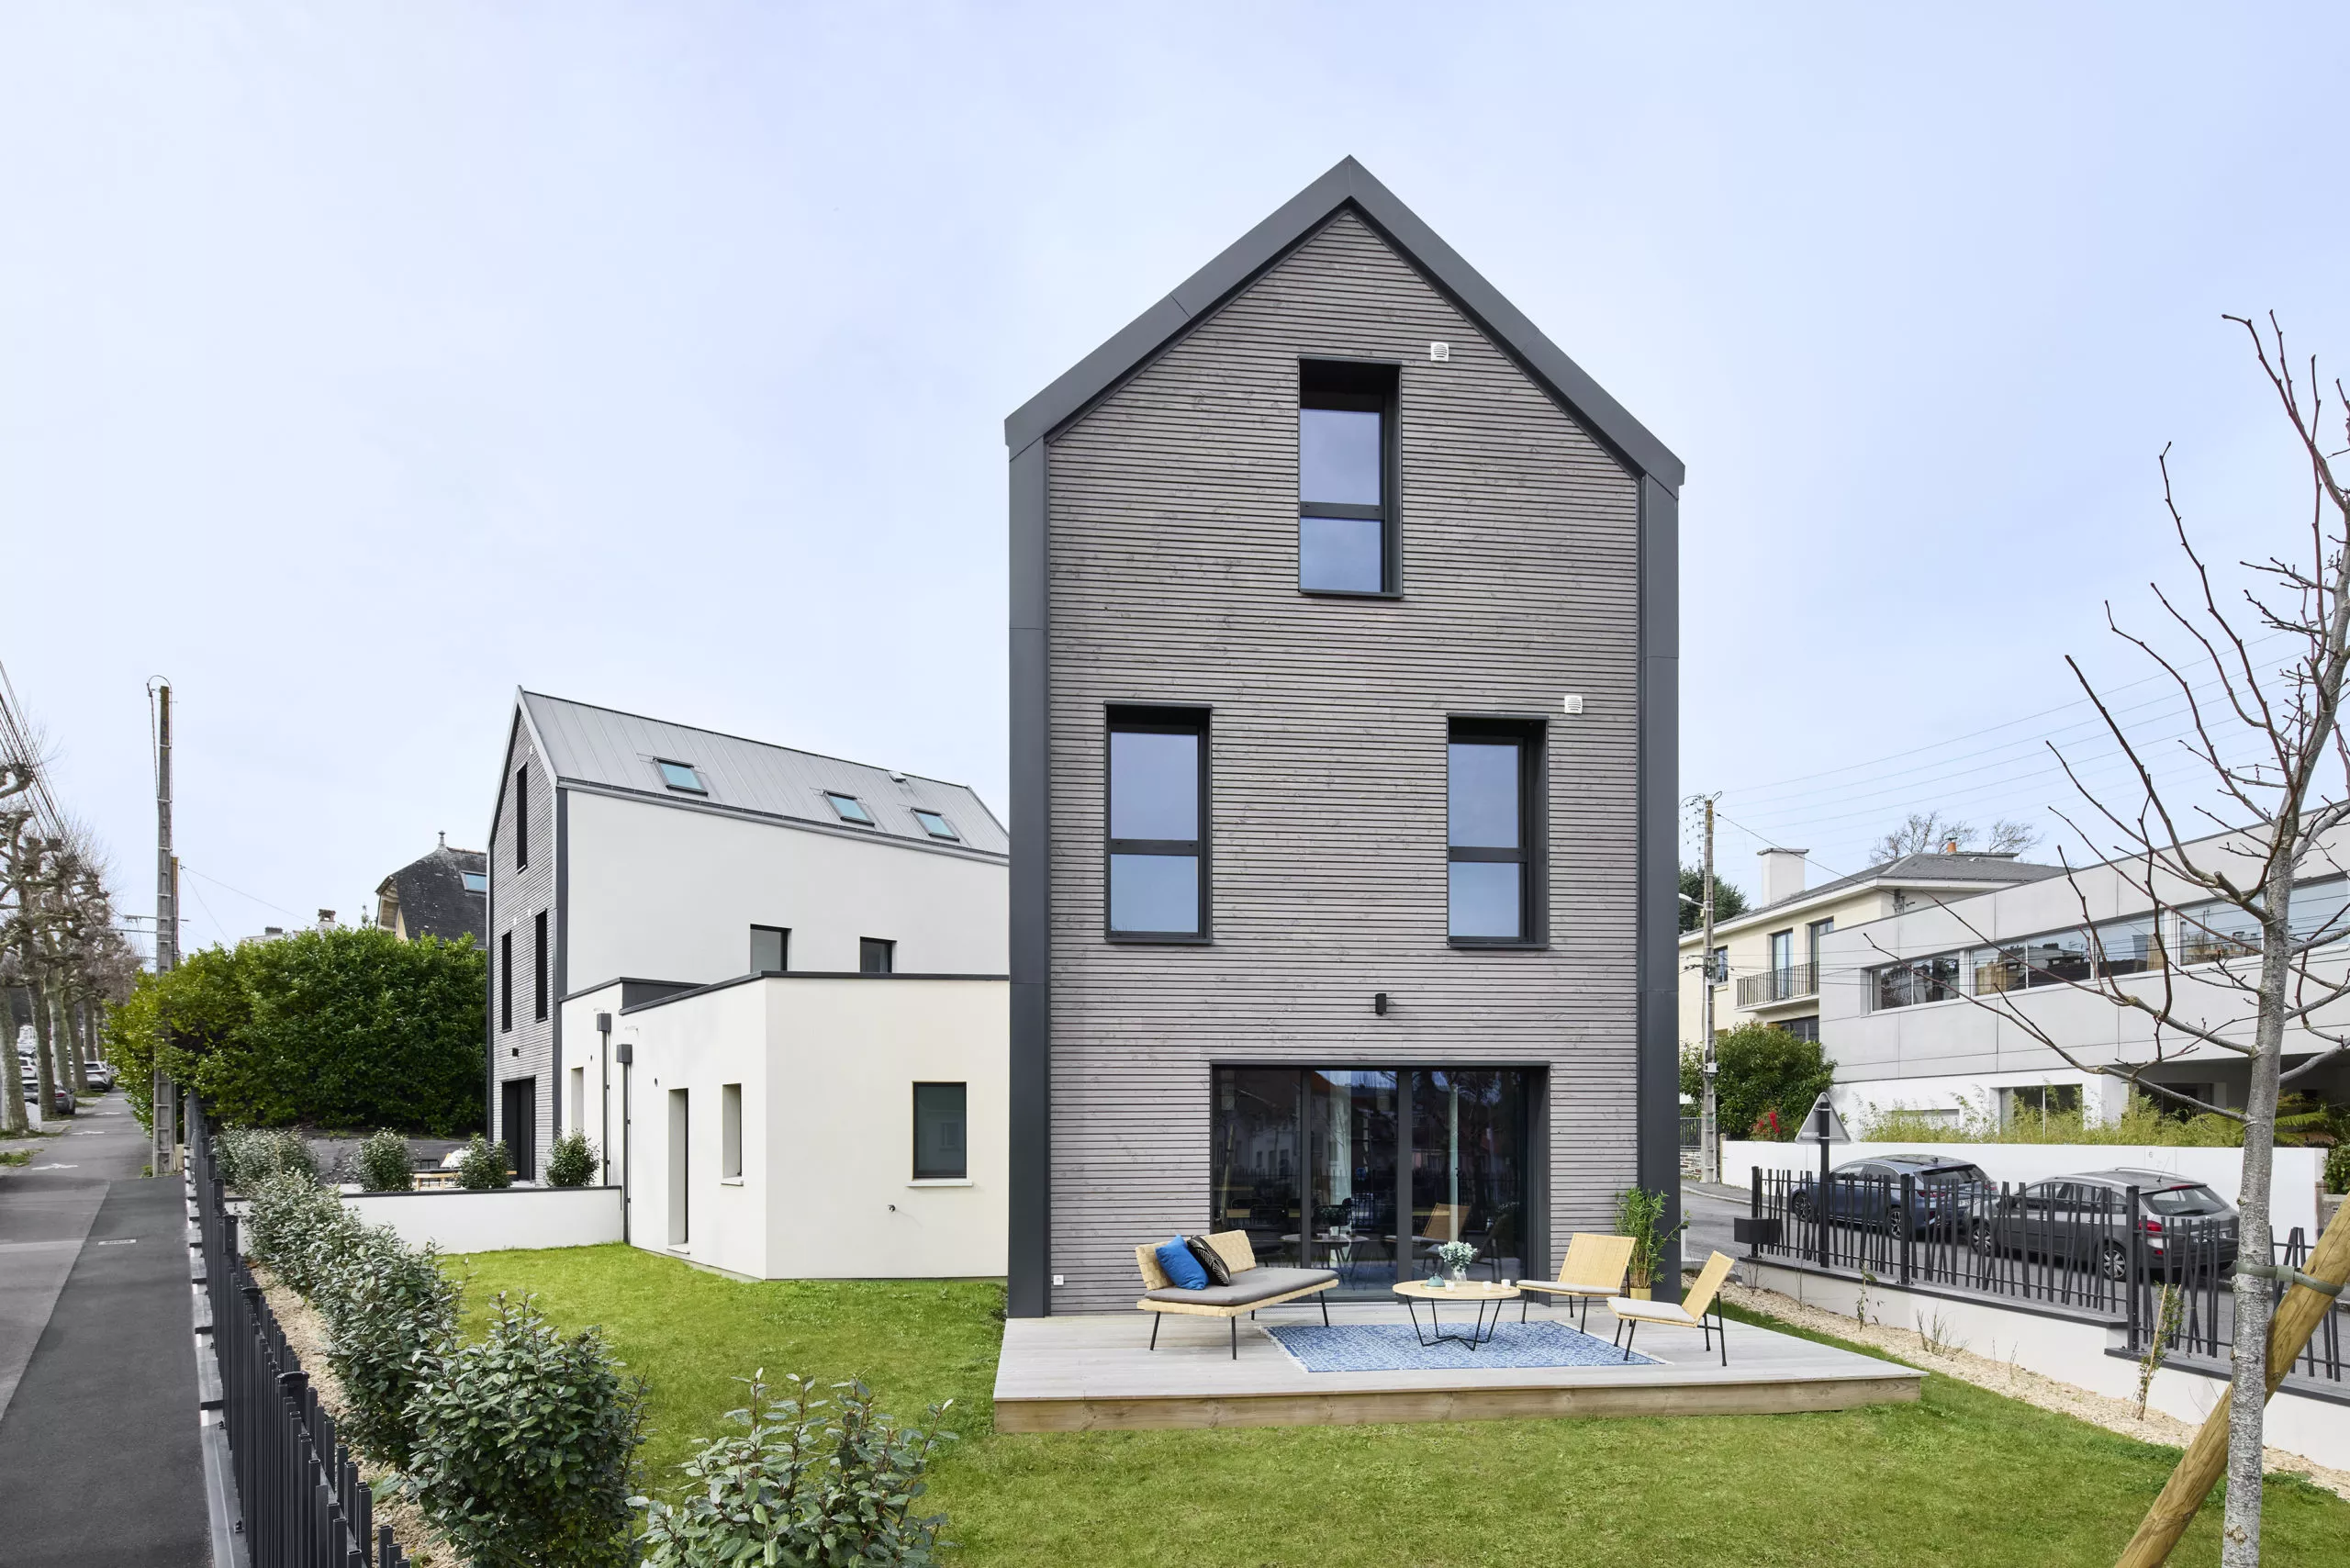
x=1909 y=1005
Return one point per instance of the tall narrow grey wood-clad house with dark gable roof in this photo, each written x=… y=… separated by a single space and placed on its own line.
x=1343 y=655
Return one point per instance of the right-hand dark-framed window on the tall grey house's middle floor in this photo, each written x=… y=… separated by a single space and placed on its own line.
x=1491 y=833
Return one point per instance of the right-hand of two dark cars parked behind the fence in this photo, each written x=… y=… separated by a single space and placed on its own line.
x=2079 y=1221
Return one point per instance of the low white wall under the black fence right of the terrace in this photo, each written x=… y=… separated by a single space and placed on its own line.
x=2062 y=1348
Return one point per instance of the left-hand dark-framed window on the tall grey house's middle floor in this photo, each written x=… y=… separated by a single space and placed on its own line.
x=1157 y=824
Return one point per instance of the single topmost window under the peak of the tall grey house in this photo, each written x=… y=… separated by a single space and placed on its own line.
x=1345 y=478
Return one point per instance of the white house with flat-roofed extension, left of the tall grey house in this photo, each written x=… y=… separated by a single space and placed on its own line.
x=770 y=986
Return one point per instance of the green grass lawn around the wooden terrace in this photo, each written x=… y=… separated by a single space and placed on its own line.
x=1961 y=1477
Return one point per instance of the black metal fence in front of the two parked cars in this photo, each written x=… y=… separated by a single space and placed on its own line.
x=2062 y=1245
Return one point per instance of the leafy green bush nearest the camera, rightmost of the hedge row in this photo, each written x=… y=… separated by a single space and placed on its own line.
x=803 y=1487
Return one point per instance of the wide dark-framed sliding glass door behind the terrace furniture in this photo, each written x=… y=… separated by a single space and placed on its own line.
x=1371 y=1170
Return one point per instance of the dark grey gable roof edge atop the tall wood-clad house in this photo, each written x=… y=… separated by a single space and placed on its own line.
x=1345 y=187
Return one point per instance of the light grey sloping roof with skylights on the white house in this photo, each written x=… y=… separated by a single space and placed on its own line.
x=619 y=751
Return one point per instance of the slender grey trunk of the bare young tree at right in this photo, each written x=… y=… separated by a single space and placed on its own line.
x=2248 y=1391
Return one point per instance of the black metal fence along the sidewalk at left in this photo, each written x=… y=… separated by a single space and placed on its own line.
x=300 y=1492
